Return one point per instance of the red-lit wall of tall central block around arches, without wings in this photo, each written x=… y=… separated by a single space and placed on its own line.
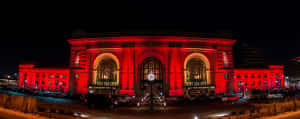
x=170 y=51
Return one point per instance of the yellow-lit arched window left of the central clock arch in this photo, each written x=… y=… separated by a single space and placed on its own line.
x=106 y=73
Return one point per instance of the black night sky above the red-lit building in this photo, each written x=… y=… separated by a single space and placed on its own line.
x=40 y=31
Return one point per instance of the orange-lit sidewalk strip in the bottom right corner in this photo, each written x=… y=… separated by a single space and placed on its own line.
x=286 y=115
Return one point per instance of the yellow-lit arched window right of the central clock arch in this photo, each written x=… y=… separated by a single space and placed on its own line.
x=196 y=72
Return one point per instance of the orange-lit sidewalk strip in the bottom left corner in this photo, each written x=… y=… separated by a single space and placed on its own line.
x=11 y=114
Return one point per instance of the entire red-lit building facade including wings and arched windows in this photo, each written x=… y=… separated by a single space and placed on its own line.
x=120 y=65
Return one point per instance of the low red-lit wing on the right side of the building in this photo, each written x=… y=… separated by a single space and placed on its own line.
x=264 y=79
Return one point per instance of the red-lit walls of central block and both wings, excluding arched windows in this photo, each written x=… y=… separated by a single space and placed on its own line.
x=129 y=53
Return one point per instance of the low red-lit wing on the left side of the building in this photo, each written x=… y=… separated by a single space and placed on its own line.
x=43 y=78
